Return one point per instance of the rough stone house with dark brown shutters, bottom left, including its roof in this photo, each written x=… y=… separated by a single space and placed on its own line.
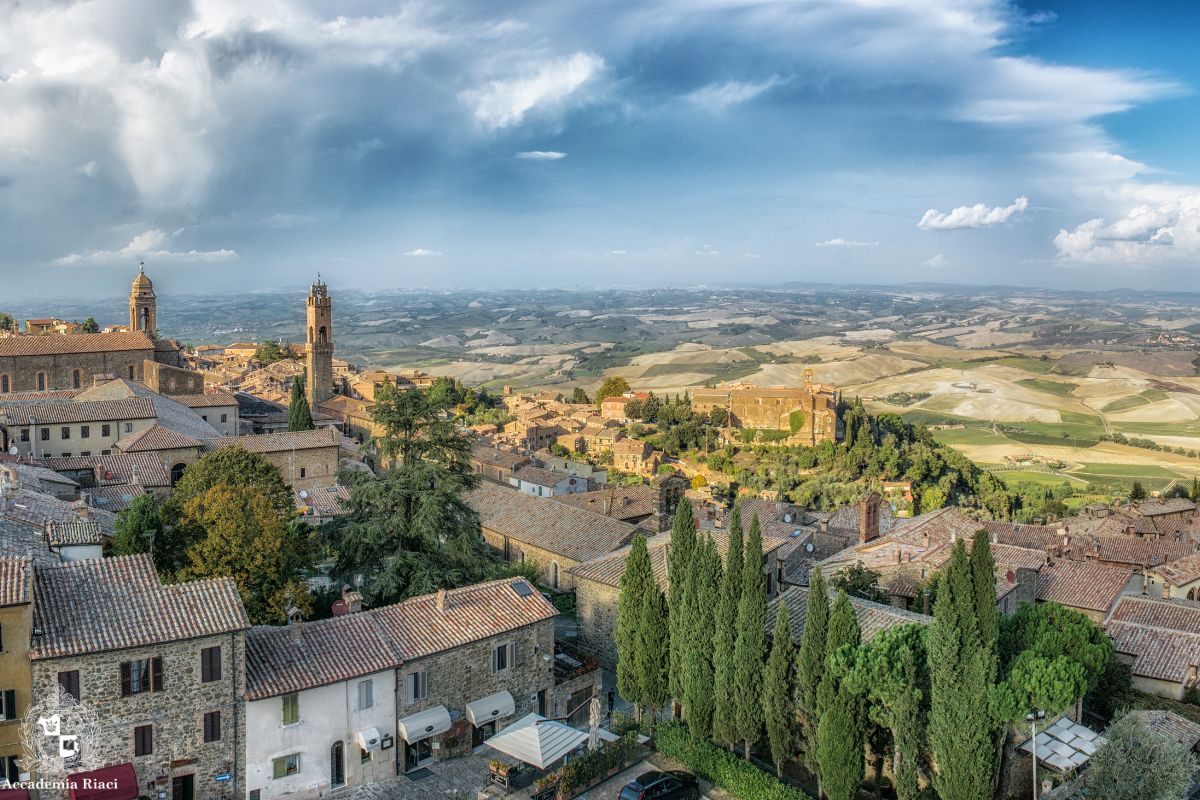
x=163 y=667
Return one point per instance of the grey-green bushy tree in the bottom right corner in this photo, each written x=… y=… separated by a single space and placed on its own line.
x=1136 y=763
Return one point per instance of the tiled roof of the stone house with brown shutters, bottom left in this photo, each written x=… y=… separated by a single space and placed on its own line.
x=118 y=604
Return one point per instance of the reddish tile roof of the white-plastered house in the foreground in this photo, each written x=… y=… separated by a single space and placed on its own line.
x=328 y=652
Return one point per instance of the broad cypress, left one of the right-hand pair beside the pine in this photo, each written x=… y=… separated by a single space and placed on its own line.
x=962 y=730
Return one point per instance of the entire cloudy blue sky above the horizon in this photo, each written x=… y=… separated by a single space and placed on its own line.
x=245 y=145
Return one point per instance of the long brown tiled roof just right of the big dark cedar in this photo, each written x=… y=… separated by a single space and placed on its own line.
x=541 y=522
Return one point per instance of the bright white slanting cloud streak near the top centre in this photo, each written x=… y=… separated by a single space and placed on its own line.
x=502 y=104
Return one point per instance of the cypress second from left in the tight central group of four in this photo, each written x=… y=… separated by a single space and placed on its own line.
x=705 y=586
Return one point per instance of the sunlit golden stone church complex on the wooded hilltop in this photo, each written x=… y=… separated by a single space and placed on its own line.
x=809 y=412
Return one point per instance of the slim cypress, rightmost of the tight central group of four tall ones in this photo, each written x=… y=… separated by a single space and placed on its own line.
x=752 y=642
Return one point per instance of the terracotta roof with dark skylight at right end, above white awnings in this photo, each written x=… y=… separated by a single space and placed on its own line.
x=472 y=613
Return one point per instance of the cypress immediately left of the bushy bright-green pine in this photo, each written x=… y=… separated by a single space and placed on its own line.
x=841 y=730
